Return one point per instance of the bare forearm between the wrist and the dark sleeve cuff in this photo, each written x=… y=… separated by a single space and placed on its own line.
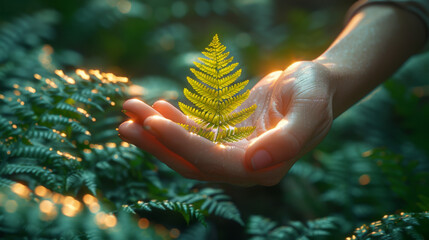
x=376 y=41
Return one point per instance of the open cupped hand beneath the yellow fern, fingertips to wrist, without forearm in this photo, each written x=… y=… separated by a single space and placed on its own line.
x=294 y=114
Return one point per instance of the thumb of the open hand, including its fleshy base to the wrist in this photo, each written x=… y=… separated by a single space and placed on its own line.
x=306 y=124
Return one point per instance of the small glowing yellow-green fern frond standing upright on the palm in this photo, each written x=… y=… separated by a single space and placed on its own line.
x=217 y=97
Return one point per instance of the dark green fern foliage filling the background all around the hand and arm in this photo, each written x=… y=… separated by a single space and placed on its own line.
x=154 y=43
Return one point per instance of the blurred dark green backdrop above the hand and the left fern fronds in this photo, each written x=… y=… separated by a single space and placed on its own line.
x=159 y=39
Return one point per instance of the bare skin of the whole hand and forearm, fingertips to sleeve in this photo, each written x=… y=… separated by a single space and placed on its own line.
x=296 y=106
